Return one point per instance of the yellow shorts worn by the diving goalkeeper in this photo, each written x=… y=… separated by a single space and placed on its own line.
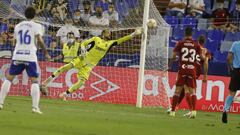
x=84 y=69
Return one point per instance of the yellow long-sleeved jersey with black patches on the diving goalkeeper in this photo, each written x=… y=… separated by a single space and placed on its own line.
x=97 y=48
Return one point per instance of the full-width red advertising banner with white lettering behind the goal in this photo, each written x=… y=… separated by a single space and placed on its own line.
x=119 y=86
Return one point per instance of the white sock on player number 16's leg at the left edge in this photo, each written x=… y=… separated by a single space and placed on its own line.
x=4 y=90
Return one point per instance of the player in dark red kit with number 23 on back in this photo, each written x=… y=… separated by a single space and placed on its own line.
x=189 y=52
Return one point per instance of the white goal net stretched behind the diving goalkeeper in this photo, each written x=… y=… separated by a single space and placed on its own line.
x=116 y=78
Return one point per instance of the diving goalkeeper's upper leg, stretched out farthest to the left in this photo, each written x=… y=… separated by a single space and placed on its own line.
x=58 y=72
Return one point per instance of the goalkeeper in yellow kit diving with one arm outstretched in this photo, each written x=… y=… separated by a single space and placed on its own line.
x=92 y=51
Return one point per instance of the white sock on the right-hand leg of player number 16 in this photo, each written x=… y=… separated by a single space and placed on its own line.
x=35 y=93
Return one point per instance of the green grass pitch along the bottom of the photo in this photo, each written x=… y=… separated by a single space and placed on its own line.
x=86 y=118
